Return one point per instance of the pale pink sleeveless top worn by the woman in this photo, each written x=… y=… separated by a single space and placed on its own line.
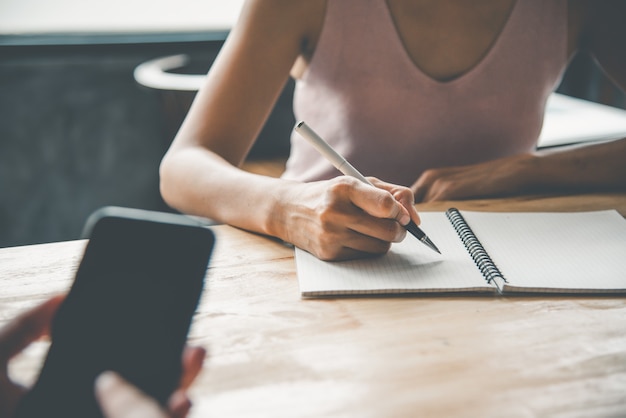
x=365 y=96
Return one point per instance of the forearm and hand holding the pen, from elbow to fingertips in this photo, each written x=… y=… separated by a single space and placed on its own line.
x=335 y=219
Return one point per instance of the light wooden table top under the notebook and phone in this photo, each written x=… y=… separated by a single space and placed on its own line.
x=273 y=354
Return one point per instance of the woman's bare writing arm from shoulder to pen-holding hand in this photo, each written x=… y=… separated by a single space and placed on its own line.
x=335 y=219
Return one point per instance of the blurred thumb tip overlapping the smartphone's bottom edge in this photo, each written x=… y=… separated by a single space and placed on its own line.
x=119 y=399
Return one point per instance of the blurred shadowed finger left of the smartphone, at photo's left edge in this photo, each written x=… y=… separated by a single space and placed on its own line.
x=27 y=327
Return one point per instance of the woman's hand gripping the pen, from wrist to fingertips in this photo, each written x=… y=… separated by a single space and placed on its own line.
x=344 y=218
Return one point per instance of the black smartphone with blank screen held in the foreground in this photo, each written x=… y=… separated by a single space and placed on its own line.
x=129 y=310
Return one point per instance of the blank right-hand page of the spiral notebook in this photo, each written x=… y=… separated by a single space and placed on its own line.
x=576 y=252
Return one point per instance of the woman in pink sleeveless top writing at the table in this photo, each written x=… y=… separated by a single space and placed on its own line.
x=442 y=98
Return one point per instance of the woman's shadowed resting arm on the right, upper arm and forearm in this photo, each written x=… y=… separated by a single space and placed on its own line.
x=598 y=29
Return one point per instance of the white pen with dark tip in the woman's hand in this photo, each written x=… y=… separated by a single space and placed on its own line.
x=346 y=168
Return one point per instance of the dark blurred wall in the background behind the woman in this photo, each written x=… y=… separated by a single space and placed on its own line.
x=78 y=132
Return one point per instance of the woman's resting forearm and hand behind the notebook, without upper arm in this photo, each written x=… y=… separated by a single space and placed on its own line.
x=598 y=167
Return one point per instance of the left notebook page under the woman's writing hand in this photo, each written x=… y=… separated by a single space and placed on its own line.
x=408 y=267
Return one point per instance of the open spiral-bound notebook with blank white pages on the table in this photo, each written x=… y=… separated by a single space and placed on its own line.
x=501 y=253
